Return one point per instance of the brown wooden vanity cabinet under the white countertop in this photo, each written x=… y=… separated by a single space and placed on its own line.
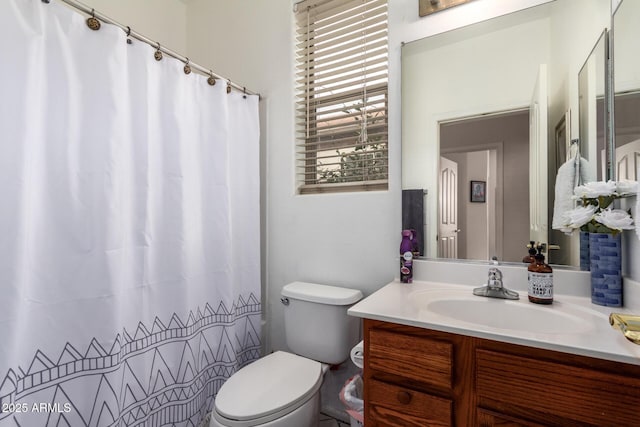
x=420 y=377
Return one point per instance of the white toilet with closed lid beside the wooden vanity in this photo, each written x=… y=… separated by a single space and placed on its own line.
x=282 y=389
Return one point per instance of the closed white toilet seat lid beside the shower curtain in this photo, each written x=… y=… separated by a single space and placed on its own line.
x=267 y=389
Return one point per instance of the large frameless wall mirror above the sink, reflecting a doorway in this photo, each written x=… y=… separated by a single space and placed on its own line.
x=473 y=95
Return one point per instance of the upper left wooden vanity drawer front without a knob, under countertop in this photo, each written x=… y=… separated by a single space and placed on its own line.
x=422 y=359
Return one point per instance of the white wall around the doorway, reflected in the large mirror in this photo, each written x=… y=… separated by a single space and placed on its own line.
x=491 y=67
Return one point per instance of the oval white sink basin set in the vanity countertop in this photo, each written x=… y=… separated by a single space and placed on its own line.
x=520 y=315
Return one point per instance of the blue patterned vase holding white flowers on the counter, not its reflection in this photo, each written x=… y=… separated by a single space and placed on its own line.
x=606 y=269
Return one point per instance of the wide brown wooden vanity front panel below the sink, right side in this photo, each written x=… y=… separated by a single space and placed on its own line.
x=520 y=385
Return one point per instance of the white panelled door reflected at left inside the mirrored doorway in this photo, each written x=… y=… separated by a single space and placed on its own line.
x=448 y=209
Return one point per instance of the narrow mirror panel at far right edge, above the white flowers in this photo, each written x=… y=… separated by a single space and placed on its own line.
x=626 y=36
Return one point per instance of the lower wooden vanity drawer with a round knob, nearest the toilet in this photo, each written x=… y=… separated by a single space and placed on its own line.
x=390 y=404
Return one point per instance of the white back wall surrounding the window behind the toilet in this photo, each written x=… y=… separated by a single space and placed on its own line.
x=342 y=239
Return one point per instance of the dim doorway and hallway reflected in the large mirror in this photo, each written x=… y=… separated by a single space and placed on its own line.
x=493 y=149
